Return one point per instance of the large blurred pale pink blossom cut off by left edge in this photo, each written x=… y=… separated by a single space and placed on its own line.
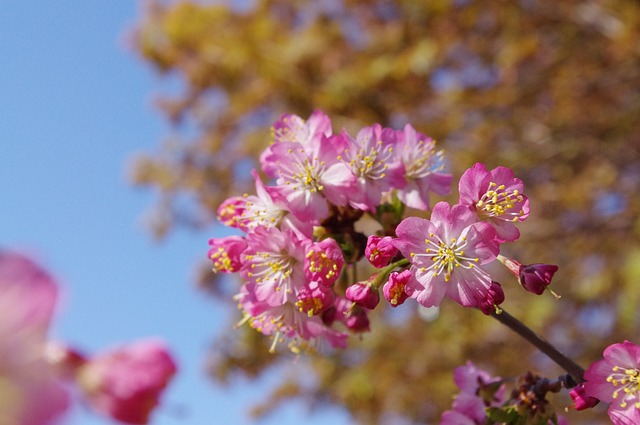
x=30 y=393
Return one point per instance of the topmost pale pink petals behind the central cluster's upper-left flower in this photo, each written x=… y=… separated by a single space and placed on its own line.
x=292 y=128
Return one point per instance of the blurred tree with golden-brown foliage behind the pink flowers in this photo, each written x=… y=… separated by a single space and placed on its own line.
x=550 y=89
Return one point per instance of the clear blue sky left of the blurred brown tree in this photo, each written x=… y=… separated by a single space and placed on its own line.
x=75 y=107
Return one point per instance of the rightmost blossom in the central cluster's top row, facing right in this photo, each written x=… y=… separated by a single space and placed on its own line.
x=424 y=169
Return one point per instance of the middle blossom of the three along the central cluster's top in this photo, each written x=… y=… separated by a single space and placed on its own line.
x=378 y=169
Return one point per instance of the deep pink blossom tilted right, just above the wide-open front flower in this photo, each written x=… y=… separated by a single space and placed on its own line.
x=496 y=197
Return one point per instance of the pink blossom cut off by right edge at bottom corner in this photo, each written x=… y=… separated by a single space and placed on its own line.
x=616 y=380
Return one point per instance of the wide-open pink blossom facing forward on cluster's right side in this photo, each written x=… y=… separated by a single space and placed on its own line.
x=445 y=254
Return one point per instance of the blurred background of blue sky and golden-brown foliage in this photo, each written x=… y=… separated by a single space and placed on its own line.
x=549 y=89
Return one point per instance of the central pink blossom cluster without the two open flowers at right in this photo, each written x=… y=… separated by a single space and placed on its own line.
x=289 y=269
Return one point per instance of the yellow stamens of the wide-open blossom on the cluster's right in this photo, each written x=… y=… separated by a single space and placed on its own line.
x=446 y=256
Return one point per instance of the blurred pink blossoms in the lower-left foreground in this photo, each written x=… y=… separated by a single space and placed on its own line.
x=124 y=385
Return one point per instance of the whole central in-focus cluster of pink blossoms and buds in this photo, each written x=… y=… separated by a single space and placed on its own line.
x=299 y=232
